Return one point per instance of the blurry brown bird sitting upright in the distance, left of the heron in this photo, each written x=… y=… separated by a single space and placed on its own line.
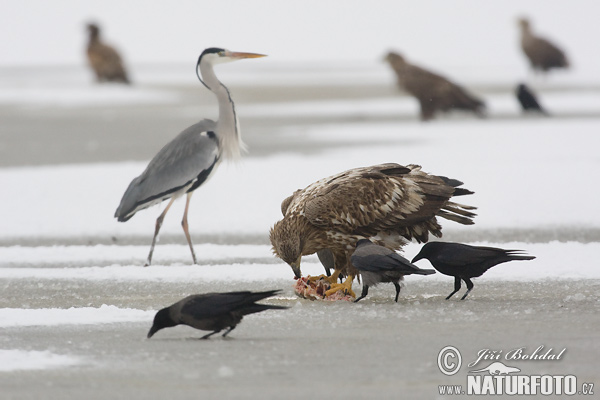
x=104 y=60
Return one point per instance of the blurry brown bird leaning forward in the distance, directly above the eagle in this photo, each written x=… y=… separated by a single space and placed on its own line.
x=434 y=92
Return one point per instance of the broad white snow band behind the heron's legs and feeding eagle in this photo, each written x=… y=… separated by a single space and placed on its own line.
x=516 y=168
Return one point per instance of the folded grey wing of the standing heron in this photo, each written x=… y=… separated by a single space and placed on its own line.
x=181 y=165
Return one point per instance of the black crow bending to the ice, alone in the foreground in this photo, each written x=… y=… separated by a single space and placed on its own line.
x=212 y=311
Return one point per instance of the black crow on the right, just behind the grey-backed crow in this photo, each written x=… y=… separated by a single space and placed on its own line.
x=465 y=262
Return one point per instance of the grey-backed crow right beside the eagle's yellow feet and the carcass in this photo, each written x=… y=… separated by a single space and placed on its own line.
x=378 y=264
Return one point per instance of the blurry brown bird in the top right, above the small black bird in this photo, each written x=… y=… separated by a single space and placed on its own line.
x=542 y=54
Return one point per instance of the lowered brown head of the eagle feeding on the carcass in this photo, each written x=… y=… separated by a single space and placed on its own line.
x=287 y=245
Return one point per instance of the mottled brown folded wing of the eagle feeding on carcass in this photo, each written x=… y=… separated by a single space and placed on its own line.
x=382 y=198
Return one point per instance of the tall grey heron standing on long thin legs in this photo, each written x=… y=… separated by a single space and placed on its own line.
x=188 y=160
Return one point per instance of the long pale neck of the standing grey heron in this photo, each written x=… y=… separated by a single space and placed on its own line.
x=228 y=130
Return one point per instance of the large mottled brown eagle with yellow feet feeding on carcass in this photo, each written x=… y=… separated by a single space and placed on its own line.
x=389 y=204
